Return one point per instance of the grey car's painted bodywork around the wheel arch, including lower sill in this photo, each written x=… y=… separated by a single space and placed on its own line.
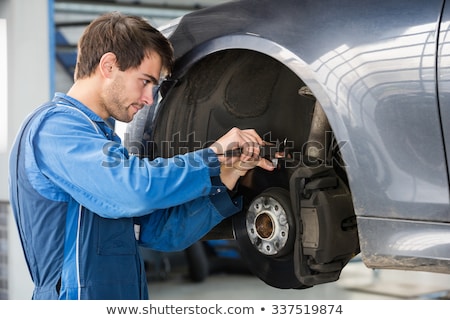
x=372 y=66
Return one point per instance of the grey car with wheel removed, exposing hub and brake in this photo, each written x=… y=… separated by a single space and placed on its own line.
x=356 y=94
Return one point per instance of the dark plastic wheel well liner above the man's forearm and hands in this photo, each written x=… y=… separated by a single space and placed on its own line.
x=241 y=88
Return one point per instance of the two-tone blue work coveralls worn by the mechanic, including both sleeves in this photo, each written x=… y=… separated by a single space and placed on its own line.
x=77 y=197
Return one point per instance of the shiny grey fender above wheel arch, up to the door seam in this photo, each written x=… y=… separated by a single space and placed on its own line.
x=362 y=73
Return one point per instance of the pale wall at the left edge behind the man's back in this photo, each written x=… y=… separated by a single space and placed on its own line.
x=28 y=79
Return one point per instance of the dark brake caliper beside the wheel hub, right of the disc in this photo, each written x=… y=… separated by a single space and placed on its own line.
x=326 y=232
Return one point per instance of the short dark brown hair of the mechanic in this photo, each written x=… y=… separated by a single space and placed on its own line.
x=130 y=38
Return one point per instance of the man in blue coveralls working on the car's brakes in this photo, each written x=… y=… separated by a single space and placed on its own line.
x=78 y=197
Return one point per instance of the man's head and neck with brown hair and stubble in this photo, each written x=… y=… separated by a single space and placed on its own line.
x=120 y=62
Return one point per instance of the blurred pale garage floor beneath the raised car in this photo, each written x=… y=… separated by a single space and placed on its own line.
x=357 y=282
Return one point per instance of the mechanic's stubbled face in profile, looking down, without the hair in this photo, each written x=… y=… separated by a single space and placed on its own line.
x=132 y=89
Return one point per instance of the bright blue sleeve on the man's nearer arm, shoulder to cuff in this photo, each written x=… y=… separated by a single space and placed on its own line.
x=73 y=155
